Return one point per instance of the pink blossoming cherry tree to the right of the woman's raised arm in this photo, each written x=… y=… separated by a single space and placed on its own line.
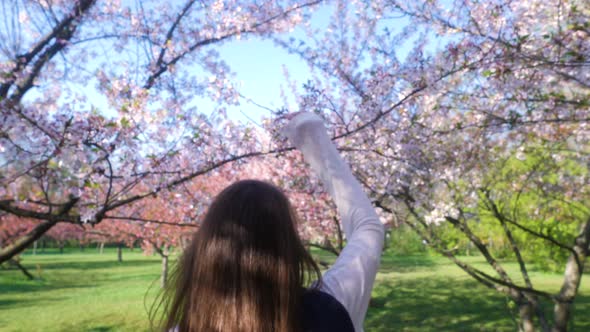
x=459 y=112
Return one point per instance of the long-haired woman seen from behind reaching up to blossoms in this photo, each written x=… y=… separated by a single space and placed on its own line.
x=246 y=268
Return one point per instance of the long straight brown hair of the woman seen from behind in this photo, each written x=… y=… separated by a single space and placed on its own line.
x=245 y=269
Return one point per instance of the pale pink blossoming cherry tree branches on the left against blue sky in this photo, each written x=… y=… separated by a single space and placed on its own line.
x=97 y=97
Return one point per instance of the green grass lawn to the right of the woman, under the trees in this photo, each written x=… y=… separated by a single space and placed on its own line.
x=431 y=294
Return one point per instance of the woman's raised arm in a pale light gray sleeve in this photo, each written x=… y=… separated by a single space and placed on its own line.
x=350 y=280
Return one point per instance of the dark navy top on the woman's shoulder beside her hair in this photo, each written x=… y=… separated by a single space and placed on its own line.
x=323 y=313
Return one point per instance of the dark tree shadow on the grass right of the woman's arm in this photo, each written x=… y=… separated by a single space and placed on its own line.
x=449 y=304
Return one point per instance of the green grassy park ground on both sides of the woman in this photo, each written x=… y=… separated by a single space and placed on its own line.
x=87 y=291
